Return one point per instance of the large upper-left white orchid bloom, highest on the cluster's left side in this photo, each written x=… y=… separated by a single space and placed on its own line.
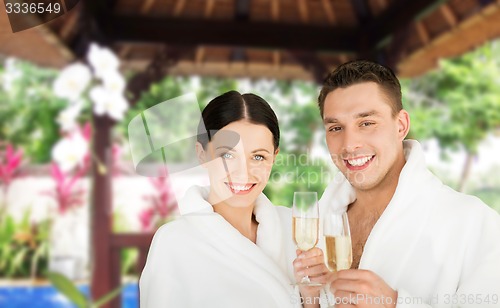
x=72 y=81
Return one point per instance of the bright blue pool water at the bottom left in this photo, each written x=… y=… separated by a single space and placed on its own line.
x=48 y=297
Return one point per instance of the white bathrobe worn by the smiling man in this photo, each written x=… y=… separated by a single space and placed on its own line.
x=432 y=244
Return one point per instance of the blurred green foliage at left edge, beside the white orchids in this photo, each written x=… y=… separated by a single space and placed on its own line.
x=28 y=111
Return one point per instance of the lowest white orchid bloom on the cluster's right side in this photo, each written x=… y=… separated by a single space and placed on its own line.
x=108 y=102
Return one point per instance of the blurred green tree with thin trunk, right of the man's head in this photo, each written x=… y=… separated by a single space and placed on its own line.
x=459 y=104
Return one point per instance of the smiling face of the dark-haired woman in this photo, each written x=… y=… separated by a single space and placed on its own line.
x=239 y=159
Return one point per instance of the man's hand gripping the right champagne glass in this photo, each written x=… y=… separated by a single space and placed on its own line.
x=361 y=288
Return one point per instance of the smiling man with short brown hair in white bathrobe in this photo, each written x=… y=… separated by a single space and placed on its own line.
x=416 y=242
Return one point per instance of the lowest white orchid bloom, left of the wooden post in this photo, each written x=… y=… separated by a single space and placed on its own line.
x=70 y=151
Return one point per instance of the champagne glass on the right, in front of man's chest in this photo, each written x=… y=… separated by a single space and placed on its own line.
x=338 y=241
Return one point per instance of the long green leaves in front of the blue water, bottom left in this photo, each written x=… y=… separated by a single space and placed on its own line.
x=70 y=290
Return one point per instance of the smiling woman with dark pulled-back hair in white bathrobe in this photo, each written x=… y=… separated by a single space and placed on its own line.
x=235 y=250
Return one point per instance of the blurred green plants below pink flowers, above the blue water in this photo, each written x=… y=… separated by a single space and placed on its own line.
x=23 y=247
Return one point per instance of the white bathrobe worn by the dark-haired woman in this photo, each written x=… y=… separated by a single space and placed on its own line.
x=200 y=260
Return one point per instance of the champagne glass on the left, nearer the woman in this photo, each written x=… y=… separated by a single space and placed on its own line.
x=305 y=224
